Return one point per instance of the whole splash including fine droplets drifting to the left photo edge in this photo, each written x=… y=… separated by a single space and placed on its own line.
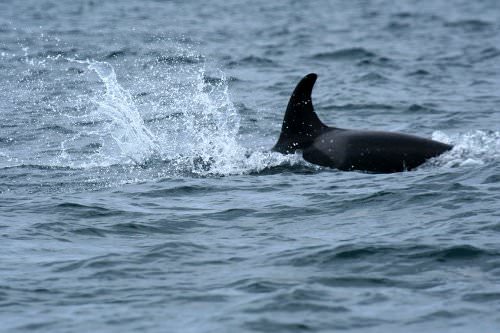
x=167 y=119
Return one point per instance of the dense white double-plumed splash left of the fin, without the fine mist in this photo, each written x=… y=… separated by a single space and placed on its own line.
x=192 y=128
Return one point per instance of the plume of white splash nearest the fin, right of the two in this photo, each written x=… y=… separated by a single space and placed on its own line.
x=204 y=137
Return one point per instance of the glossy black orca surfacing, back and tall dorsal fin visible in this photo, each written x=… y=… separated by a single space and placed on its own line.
x=346 y=149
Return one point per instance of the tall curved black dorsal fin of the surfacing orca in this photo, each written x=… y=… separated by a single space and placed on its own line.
x=301 y=125
